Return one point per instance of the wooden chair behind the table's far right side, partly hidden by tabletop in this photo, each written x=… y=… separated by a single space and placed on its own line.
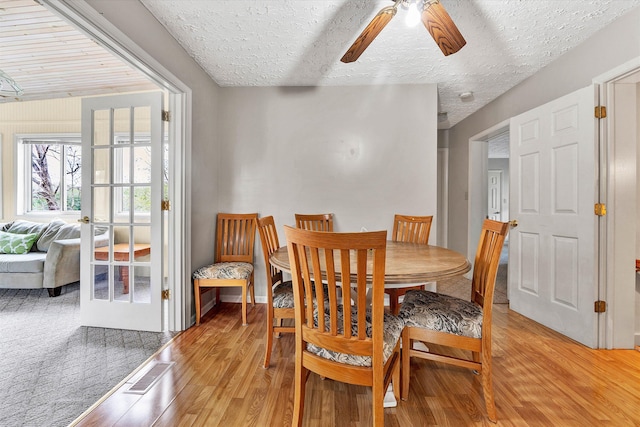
x=413 y=229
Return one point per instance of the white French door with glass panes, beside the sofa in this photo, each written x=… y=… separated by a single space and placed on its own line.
x=122 y=182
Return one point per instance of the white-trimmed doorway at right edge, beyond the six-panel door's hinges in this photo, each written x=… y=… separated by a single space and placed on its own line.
x=620 y=189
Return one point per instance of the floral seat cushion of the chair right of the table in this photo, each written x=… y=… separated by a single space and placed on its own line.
x=443 y=313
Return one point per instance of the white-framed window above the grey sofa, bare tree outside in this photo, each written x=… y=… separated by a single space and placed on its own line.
x=49 y=173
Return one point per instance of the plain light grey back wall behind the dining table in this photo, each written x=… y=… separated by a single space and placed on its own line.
x=344 y=150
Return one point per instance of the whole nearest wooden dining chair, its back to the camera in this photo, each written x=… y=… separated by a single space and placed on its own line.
x=346 y=341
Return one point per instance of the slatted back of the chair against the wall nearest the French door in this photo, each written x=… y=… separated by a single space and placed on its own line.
x=235 y=235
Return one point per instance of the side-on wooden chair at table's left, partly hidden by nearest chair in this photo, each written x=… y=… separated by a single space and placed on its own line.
x=279 y=292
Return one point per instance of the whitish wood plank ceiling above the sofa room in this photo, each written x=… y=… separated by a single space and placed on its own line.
x=50 y=59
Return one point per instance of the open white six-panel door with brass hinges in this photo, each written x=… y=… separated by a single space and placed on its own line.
x=552 y=251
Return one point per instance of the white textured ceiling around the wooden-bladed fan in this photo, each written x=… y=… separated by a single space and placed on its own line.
x=300 y=43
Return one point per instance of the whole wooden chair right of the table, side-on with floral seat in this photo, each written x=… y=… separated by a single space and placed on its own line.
x=443 y=320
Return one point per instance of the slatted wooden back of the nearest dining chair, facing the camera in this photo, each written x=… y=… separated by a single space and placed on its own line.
x=325 y=320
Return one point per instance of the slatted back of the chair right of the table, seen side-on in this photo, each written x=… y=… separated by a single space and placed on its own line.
x=485 y=267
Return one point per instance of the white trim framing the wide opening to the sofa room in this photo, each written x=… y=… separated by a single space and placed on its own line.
x=178 y=261
